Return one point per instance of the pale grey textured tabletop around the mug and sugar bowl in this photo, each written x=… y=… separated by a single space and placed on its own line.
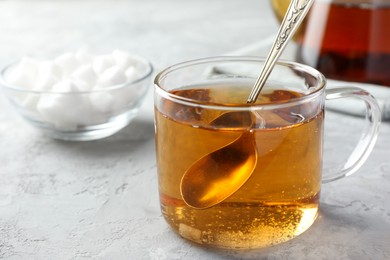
x=99 y=200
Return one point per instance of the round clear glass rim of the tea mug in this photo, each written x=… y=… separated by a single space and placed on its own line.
x=192 y=102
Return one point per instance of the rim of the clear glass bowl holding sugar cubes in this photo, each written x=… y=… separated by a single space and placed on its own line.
x=143 y=76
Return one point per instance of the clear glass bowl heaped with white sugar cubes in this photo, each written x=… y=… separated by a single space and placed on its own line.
x=78 y=96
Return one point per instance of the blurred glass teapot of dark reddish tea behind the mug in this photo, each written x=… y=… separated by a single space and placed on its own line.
x=345 y=39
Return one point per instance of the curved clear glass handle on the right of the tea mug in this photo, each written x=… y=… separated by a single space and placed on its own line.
x=368 y=138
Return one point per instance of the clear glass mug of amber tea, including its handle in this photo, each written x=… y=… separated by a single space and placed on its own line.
x=268 y=154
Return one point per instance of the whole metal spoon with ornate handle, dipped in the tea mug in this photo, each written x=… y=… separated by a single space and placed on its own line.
x=219 y=174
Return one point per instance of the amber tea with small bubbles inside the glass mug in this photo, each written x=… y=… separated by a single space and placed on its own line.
x=280 y=199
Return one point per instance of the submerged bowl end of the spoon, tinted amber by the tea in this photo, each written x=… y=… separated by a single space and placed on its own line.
x=217 y=175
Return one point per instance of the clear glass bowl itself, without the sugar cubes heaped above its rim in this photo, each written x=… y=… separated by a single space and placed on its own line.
x=80 y=115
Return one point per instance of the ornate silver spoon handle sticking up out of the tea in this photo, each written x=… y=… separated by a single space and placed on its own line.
x=294 y=16
